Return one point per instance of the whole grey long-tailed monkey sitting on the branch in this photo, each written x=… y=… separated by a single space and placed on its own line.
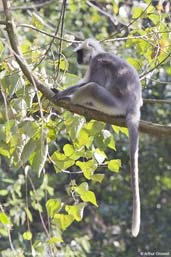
x=111 y=86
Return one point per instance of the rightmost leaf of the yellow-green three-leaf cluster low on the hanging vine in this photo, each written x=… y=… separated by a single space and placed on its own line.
x=76 y=211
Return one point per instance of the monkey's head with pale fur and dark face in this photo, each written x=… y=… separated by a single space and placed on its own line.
x=87 y=50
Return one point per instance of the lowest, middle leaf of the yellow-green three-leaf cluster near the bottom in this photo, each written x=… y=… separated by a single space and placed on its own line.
x=63 y=220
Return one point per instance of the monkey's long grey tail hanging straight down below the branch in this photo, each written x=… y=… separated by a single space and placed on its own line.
x=134 y=145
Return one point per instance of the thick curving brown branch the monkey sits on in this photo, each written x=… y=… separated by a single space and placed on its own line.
x=145 y=127
